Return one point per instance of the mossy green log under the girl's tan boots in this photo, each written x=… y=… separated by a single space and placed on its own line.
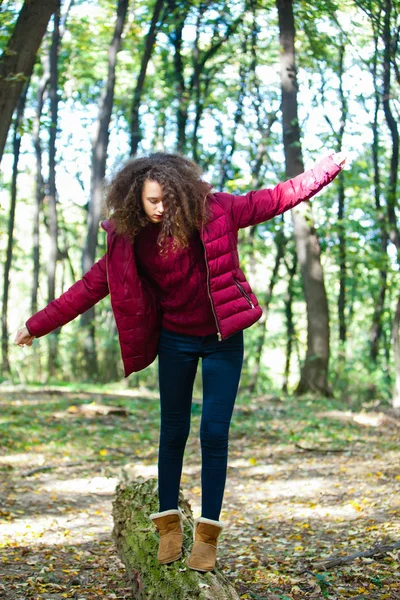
x=136 y=541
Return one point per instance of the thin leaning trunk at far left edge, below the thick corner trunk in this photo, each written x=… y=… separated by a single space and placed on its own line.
x=11 y=223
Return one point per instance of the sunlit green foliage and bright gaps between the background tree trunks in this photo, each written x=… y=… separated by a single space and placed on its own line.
x=242 y=74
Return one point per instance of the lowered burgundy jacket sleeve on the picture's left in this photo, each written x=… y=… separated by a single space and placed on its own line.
x=81 y=296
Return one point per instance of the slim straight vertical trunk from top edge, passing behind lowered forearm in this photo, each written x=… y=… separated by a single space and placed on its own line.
x=52 y=195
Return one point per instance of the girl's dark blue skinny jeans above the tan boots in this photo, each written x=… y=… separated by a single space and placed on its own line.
x=178 y=357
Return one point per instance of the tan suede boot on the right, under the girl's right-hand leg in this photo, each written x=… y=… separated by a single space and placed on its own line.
x=204 y=551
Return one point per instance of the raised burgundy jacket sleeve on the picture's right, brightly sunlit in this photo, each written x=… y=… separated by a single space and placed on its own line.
x=261 y=205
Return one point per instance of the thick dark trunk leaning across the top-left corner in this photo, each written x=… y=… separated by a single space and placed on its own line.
x=17 y=60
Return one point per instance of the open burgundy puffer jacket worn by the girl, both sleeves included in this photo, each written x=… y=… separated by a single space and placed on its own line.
x=133 y=300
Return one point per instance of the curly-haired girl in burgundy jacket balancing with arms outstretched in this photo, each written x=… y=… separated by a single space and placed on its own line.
x=177 y=291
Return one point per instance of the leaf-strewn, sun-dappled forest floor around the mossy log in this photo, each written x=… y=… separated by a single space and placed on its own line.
x=309 y=480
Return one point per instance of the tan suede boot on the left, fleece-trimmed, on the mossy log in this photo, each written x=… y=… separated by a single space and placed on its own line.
x=170 y=527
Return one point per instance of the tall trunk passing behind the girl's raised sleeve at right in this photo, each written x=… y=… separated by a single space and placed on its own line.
x=314 y=371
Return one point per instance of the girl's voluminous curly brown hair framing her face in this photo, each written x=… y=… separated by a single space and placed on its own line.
x=184 y=194
